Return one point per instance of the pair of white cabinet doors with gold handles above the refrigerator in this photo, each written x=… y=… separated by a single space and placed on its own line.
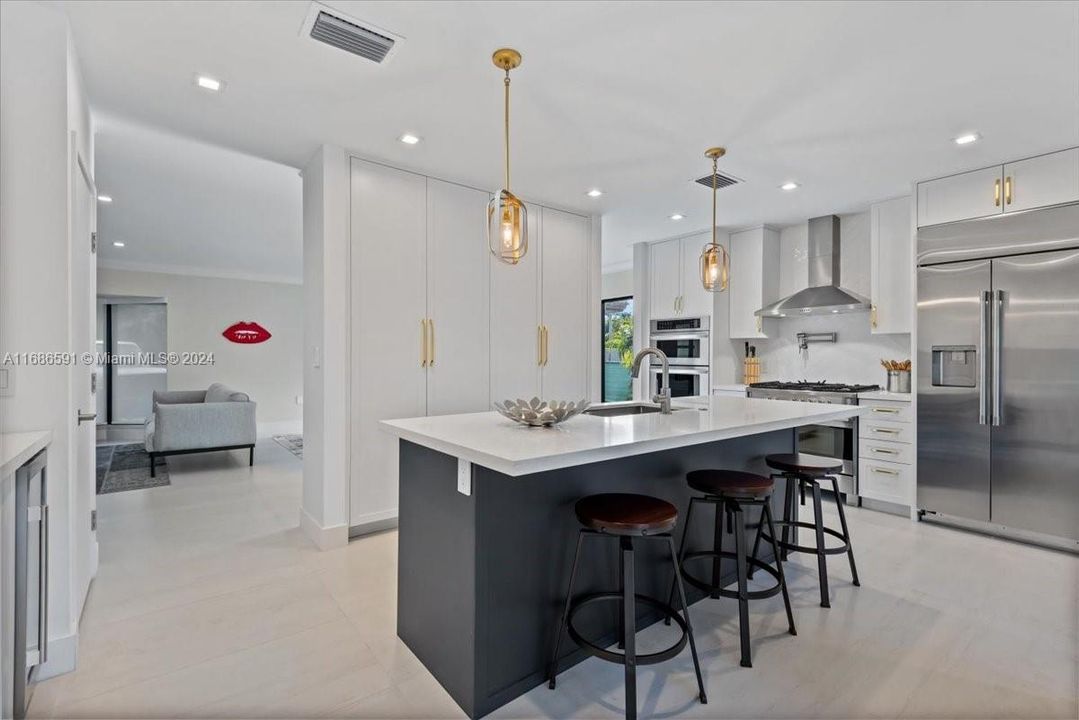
x=1050 y=180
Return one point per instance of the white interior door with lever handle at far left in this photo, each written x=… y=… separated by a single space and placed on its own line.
x=84 y=375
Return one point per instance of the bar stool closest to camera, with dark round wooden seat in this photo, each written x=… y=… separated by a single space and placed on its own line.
x=627 y=518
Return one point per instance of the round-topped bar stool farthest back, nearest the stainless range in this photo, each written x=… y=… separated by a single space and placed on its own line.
x=808 y=471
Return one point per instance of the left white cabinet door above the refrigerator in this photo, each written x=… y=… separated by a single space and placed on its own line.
x=978 y=194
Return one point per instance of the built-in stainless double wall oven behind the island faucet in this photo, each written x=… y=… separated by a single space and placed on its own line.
x=689 y=349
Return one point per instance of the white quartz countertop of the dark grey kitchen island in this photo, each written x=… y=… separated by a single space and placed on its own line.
x=489 y=440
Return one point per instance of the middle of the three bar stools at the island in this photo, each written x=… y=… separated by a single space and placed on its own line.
x=732 y=493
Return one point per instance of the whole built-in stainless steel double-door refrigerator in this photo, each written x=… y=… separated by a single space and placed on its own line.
x=999 y=373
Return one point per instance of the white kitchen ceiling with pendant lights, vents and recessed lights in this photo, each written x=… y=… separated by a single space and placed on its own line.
x=854 y=101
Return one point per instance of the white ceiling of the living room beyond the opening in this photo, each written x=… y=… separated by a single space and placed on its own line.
x=182 y=206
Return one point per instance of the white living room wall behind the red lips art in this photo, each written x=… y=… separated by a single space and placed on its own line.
x=201 y=308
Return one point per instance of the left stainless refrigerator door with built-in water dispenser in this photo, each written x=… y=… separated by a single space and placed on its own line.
x=953 y=430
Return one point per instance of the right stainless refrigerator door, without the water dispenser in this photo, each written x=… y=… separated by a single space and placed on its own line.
x=1035 y=455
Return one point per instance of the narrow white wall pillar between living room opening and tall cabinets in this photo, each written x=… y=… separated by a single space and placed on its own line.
x=324 y=517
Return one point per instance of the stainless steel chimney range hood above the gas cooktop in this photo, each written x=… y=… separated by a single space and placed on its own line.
x=824 y=294
